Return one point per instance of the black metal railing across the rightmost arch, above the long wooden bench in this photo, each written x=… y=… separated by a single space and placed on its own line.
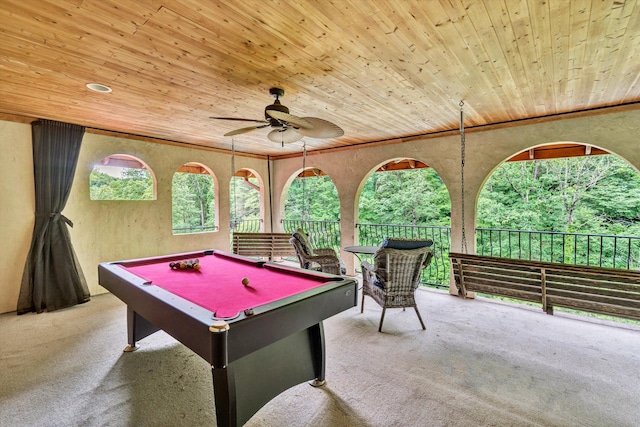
x=602 y=250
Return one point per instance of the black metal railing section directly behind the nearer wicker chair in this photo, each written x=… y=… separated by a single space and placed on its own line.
x=437 y=273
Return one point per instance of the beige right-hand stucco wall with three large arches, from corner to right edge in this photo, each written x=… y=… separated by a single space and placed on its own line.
x=484 y=151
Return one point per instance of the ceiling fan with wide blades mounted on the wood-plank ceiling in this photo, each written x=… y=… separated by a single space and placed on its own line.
x=287 y=128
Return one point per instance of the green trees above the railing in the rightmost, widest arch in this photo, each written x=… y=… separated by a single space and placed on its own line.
x=599 y=194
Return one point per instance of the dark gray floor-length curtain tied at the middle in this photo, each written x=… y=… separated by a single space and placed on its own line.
x=52 y=277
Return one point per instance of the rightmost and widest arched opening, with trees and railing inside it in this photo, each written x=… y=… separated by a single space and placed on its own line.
x=575 y=207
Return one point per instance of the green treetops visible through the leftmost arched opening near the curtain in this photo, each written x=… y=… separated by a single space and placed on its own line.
x=133 y=184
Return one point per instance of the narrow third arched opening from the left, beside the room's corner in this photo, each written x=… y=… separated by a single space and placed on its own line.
x=246 y=211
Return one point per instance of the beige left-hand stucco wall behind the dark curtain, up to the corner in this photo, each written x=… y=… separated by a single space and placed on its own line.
x=104 y=230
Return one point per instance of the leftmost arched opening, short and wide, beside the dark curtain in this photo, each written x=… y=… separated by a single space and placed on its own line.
x=121 y=177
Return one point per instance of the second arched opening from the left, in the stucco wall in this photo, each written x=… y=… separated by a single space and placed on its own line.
x=193 y=200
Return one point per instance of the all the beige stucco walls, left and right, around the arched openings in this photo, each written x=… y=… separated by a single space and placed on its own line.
x=106 y=231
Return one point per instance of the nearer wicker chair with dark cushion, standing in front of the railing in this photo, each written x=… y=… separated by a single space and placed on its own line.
x=394 y=278
